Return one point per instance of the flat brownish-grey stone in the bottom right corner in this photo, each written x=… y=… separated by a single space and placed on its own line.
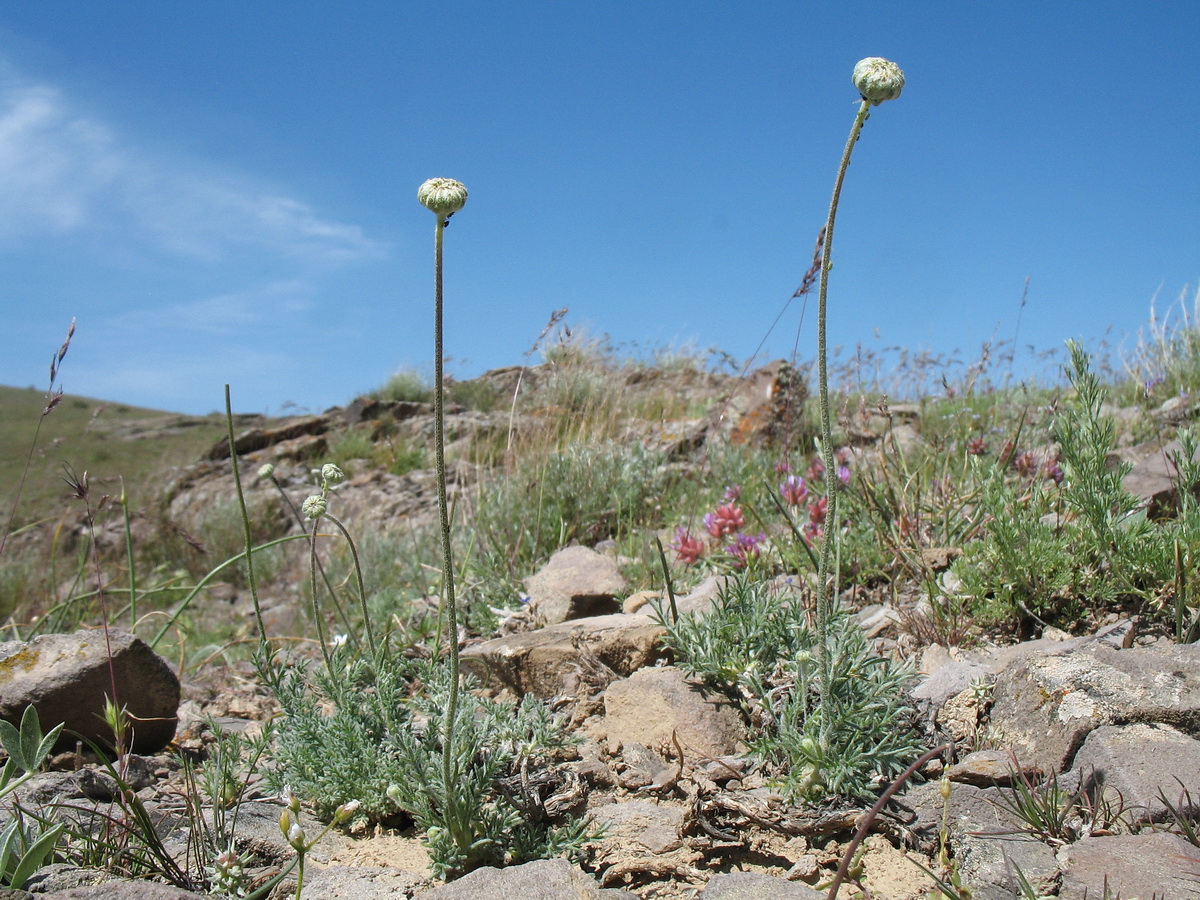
x=1135 y=867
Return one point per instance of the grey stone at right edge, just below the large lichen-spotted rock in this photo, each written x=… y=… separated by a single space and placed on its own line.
x=1143 y=764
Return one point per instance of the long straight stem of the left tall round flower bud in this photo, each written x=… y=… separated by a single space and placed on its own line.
x=448 y=776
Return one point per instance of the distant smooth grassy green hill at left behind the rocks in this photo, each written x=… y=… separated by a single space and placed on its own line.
x=109 y=441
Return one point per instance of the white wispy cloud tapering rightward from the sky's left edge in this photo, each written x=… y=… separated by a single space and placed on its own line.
x=65 y=172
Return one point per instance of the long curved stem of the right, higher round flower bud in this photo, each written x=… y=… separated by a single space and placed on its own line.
x=825 y=586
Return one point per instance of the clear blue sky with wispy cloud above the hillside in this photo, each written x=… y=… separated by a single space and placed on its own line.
x=226 y=191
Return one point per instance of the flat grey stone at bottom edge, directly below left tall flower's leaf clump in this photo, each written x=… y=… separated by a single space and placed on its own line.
x=539 y=880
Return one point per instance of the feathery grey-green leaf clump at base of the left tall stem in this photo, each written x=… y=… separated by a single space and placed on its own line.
x=357 y=733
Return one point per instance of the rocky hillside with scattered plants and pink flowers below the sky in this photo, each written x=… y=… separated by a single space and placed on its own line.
x=1016 y=579
